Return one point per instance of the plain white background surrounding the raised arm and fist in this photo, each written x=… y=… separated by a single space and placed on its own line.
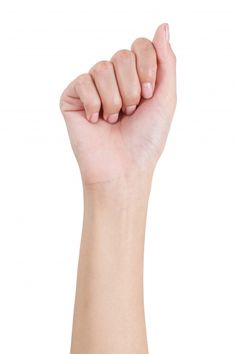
x=190 y=263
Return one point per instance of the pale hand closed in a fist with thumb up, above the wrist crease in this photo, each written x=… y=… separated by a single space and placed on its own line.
x=119 y=113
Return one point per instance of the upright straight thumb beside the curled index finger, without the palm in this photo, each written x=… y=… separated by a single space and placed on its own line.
x=165 y=88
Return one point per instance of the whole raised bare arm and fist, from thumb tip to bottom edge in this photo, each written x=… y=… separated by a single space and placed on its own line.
x=118 y=116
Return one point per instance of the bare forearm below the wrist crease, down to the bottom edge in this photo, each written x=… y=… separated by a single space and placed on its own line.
x=109 y=311
